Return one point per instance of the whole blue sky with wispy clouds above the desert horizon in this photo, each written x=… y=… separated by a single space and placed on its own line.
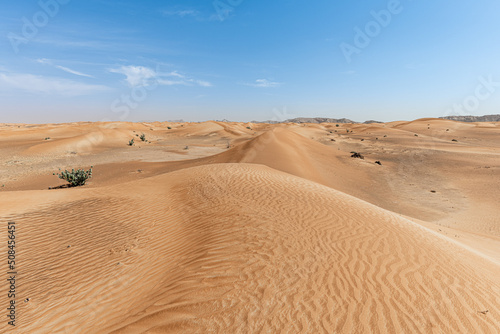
x=242 y=60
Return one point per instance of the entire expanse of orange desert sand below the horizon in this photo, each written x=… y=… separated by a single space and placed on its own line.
x=220 y=227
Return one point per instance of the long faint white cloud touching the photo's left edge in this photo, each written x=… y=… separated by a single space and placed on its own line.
x=47 y=85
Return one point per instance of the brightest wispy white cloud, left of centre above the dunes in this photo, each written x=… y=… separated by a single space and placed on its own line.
x=145 y=76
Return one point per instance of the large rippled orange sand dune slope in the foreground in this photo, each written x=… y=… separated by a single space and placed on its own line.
x=241 y=248
